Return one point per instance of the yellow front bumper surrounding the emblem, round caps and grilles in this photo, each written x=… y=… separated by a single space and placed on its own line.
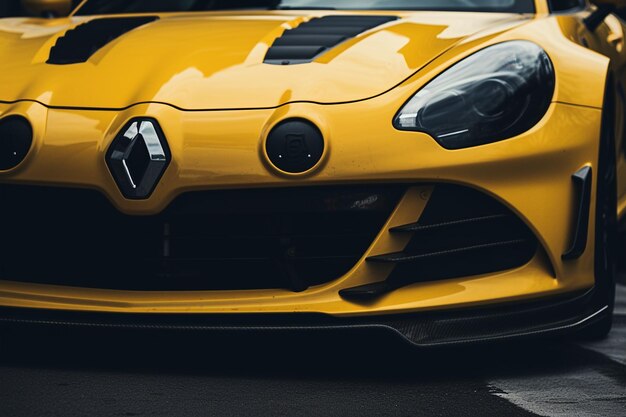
x=223 y=150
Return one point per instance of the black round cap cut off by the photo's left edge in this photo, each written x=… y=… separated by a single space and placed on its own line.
x=16 y=137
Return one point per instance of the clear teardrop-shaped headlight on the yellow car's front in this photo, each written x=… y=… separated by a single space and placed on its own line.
x=494 y=94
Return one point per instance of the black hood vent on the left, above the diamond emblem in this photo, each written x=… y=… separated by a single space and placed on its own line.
x=79 y=44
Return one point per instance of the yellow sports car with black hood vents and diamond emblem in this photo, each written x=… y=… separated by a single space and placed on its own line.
x=450 y=171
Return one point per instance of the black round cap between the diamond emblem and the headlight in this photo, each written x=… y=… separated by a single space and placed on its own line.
x=295 y=146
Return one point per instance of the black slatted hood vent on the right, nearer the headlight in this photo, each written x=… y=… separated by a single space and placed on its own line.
x=304 y=43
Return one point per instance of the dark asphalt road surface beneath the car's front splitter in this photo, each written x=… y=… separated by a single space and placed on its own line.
x=120 y=374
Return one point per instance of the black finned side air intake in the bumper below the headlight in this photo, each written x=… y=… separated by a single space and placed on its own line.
x=462 y=232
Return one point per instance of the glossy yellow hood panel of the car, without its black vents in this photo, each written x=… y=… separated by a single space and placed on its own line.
x=215 y=60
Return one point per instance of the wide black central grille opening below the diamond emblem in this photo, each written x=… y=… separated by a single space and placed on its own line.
x=218 y=240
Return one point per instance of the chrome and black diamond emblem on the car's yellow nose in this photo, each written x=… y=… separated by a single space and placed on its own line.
x=138 y=157
